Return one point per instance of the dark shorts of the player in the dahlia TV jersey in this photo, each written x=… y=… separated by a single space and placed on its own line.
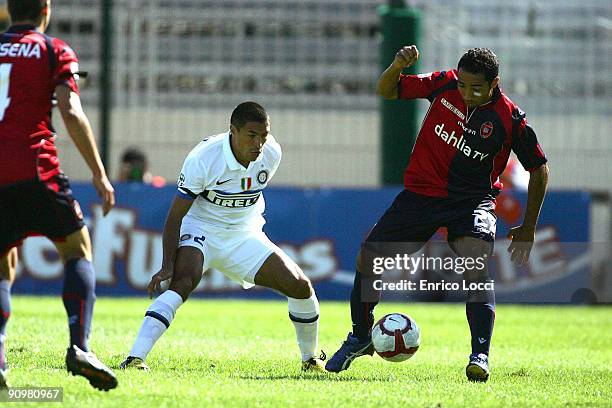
x=414 y=218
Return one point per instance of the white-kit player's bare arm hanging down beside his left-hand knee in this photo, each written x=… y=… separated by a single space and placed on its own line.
x=170 y=241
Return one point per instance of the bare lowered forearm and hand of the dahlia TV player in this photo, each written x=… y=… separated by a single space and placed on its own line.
x=524 y=235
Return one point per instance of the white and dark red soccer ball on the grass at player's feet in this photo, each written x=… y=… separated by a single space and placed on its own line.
x=396 y=337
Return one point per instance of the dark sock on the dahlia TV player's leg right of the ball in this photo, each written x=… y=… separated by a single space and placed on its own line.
x=481 y=317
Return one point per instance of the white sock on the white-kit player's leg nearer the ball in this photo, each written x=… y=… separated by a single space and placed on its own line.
x=304 y=313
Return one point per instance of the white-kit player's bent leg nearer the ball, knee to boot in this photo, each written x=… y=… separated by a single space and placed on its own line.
x=280 y=273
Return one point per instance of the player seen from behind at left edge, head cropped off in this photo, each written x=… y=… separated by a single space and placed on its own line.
x=35 y=196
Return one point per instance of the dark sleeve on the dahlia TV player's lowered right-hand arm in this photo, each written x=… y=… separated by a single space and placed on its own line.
x=525 y=143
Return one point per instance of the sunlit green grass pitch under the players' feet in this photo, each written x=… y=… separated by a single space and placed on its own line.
x=243 y=353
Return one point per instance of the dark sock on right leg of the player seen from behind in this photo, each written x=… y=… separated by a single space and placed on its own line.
x=79 y=298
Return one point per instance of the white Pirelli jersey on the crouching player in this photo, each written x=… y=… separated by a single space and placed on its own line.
x=227 y=195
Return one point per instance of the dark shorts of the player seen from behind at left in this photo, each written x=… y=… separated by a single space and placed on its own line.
x=32 y=207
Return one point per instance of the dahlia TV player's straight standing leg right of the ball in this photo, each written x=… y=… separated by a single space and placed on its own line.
x=479 y=307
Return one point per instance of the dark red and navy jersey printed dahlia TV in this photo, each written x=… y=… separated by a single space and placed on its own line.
x=461 y=151
